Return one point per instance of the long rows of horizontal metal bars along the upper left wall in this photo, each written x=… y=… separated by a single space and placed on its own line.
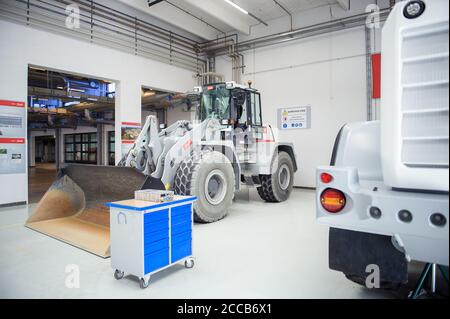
x=105 y=26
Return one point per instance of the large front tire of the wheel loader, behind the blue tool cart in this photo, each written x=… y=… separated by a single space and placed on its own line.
x=209 y=176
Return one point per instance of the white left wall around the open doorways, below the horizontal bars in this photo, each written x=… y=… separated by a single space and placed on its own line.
x=21 y=46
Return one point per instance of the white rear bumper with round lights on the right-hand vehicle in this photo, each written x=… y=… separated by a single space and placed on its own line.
x=420 y=239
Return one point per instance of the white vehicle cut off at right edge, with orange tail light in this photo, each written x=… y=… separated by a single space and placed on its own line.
x=385 y=195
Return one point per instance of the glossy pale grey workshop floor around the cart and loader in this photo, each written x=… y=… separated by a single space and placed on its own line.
x=260 y=250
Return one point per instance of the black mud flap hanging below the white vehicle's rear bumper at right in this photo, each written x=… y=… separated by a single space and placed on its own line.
x=351 y=252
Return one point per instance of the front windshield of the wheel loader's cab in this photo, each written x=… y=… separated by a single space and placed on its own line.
x=215 y=102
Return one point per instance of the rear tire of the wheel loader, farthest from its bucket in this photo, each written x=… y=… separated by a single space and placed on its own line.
x=277 y=187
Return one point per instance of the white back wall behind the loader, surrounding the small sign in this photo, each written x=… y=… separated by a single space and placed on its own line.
x=327 y=72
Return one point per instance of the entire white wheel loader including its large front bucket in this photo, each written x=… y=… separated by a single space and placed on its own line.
x=226 y=146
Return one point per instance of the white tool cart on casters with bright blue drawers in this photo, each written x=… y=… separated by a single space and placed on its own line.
x=148 y=237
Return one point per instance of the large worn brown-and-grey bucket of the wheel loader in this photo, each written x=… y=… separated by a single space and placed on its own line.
x=73 y=209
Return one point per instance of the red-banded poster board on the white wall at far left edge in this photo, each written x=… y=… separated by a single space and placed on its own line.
x=12 y=137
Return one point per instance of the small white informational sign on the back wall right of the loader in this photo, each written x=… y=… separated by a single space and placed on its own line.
x=294 y=118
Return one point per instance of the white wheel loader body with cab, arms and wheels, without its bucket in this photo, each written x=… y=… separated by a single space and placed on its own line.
x=227 y=145
